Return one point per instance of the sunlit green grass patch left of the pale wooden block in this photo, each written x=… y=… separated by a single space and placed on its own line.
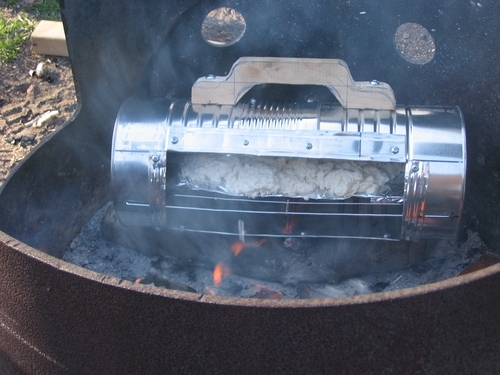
x=13 y=33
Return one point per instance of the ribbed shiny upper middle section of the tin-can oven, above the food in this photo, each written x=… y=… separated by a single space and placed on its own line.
x=309 y=130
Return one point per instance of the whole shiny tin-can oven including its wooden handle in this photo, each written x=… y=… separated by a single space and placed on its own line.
x=423 y=146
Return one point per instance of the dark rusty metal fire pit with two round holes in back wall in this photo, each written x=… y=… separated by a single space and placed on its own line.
x=59 y=318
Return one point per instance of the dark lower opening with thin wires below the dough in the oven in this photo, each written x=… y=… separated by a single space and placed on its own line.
x=199 y=211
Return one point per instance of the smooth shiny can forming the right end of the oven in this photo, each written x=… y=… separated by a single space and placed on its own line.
x=436 y=185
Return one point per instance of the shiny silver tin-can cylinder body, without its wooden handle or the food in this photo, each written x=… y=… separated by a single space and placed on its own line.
x=149 y=137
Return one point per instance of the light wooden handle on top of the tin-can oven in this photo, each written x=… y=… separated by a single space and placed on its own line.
x=332 y=73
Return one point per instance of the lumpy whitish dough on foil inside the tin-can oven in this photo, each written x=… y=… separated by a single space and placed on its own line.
x=253 y=176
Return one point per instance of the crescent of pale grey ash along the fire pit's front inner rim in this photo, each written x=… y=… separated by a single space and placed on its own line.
x=91 y=251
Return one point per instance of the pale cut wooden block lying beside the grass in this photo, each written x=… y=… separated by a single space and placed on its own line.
x=48 y=38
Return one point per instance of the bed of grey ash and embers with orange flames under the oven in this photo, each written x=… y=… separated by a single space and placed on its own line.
x=271 y=268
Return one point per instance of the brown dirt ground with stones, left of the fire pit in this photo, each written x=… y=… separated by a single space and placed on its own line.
x=24 y=97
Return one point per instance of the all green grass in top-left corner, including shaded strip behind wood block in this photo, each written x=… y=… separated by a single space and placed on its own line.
x=16 y=31
